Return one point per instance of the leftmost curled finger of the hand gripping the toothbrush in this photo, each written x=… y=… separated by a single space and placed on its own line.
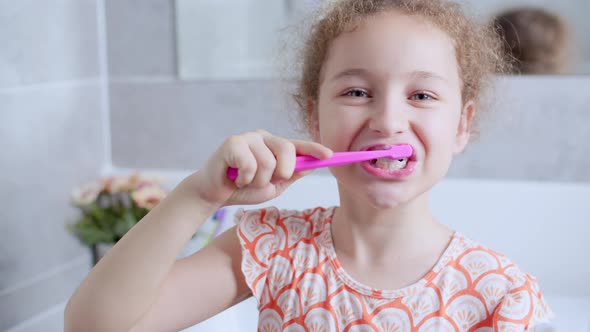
x=239 y=156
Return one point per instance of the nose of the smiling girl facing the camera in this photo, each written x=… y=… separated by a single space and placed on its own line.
x=388 y=118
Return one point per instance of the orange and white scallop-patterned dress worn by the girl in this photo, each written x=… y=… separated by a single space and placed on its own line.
x=291 y=267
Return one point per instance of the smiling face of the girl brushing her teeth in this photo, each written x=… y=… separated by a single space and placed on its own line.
x=393 y=80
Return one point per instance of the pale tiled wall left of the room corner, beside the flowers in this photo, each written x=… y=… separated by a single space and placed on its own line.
x=52 y=139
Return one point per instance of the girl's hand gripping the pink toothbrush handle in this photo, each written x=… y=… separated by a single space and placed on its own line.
x=265 y=164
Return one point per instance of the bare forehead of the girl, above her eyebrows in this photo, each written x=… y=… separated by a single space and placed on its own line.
x=393 y=44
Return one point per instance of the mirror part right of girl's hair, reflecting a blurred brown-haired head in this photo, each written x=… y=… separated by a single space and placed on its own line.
x=543 y=37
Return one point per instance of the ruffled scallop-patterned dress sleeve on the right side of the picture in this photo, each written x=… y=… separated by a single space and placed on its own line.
x=523 y=308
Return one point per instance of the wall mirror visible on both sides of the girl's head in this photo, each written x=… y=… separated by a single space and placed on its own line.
x=238 y=39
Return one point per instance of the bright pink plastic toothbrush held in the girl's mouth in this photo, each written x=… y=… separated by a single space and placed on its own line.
x=341 y=158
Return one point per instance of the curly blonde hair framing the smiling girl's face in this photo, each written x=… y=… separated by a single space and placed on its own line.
x=479 y=49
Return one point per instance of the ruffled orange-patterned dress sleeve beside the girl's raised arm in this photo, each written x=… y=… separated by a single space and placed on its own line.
x=257 y=234
